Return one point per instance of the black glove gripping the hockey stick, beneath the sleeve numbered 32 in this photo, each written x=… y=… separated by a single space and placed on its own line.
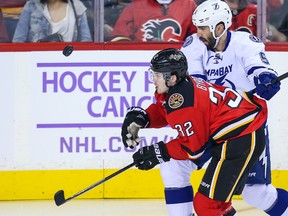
x=149 y=156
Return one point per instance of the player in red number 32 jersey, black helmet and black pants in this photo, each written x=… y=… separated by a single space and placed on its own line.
x=200 y=111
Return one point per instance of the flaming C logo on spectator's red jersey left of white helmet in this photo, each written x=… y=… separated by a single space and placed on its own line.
x=162 y=30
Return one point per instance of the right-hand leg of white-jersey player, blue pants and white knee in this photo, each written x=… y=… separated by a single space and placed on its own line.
x=259 y=192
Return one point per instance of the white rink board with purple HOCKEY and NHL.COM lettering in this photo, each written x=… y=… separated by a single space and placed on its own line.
x=66 y=113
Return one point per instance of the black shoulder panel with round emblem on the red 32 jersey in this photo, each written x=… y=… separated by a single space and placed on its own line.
x=180 y=96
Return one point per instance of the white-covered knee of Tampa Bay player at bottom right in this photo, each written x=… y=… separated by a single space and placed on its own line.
x=260 y=196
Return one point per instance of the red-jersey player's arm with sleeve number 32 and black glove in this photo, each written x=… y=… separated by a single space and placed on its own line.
x=187 y=145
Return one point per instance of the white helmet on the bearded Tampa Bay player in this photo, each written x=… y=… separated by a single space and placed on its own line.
x=212 y=12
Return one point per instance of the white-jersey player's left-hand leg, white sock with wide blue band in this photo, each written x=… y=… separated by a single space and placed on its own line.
x=178 y=189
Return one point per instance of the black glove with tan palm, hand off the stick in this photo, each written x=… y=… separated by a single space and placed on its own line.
x=135 y=118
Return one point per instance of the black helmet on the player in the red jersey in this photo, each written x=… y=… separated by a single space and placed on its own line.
x=170 y=62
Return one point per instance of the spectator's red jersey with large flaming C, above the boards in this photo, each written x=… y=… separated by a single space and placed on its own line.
x=147 y=20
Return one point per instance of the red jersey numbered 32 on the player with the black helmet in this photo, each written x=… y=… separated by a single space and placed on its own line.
x=200 y=111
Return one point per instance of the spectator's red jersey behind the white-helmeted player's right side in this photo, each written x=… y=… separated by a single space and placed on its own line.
x=245 y=20
